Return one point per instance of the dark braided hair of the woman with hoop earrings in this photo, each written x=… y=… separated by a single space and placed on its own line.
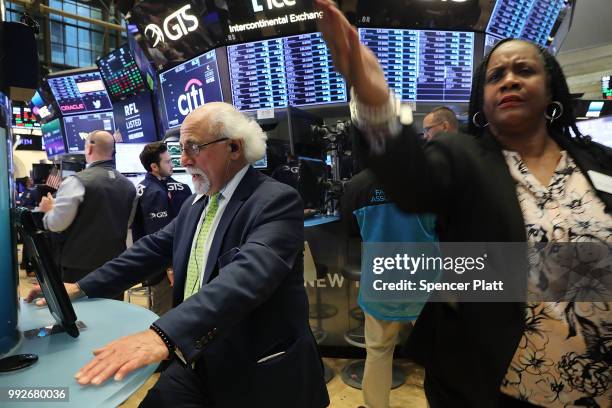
x=557 y=86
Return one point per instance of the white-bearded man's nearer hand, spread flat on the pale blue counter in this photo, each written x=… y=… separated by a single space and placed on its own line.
x=122 y=356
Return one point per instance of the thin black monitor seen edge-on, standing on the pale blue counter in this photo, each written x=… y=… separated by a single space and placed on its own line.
x=47 y=274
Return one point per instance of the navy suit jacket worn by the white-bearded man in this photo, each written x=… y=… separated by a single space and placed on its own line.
x=252 y=304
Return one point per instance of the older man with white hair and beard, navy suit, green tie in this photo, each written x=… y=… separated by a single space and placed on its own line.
x=238 y=333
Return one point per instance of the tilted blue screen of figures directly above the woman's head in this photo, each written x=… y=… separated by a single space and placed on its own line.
x=531 y=20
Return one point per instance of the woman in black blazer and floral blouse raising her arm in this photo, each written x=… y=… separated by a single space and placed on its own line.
x=521 y=176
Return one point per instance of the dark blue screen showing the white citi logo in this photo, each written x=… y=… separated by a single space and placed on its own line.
x=189 y=85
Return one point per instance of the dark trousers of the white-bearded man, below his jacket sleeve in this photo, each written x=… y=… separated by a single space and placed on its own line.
x=178 y=386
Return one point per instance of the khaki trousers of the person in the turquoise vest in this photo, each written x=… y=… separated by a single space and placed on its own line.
x=381 y=337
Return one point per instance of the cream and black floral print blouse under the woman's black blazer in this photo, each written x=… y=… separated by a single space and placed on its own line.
x=564 y=356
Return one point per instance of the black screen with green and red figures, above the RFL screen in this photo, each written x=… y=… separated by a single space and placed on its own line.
x=121 y=74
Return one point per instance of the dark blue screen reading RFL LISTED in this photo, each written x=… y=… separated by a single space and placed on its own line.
x=134 y=119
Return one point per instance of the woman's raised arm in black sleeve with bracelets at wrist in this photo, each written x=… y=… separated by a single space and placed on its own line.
x=417 y=179
